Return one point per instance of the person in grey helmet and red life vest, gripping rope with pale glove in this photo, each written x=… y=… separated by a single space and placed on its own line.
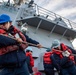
x=63 y=56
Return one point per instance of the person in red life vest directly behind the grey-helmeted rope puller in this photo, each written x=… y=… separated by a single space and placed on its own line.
x=49 y=63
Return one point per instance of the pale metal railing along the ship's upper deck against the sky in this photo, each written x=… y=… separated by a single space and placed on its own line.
x=52 y=16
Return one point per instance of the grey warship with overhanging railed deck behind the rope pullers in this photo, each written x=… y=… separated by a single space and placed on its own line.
x=43 y=26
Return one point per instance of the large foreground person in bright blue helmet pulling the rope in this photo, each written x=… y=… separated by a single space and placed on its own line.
x=12 y=55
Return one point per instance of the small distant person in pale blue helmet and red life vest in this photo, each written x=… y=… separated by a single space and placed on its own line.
x=29 y=59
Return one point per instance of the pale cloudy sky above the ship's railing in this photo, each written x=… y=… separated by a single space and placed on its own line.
x=65 y=8
